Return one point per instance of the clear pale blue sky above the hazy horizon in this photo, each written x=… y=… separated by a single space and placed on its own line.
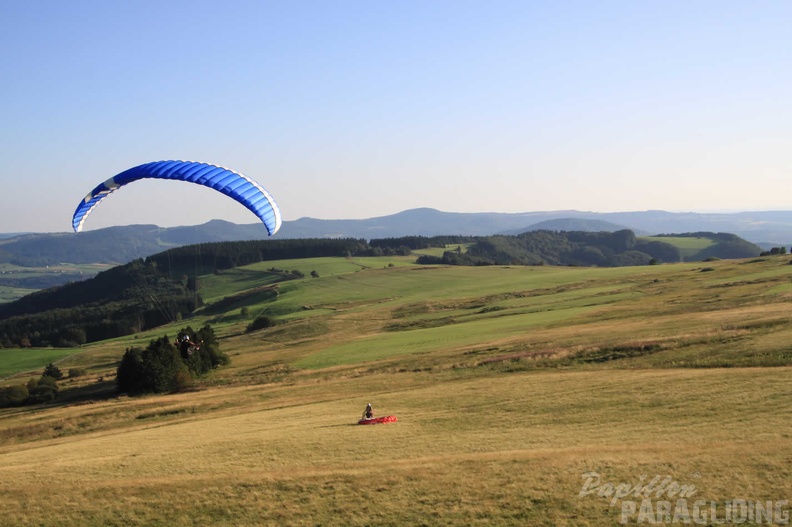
x=363 y=109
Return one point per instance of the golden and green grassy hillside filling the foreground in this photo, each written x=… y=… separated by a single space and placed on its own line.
x=512 y=385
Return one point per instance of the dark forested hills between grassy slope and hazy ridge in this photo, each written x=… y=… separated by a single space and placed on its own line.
x=144 y=294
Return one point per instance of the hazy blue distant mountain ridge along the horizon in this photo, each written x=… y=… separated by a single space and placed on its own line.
x=126 y=243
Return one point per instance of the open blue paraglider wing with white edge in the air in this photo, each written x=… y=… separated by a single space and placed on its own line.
x=232 y=184
